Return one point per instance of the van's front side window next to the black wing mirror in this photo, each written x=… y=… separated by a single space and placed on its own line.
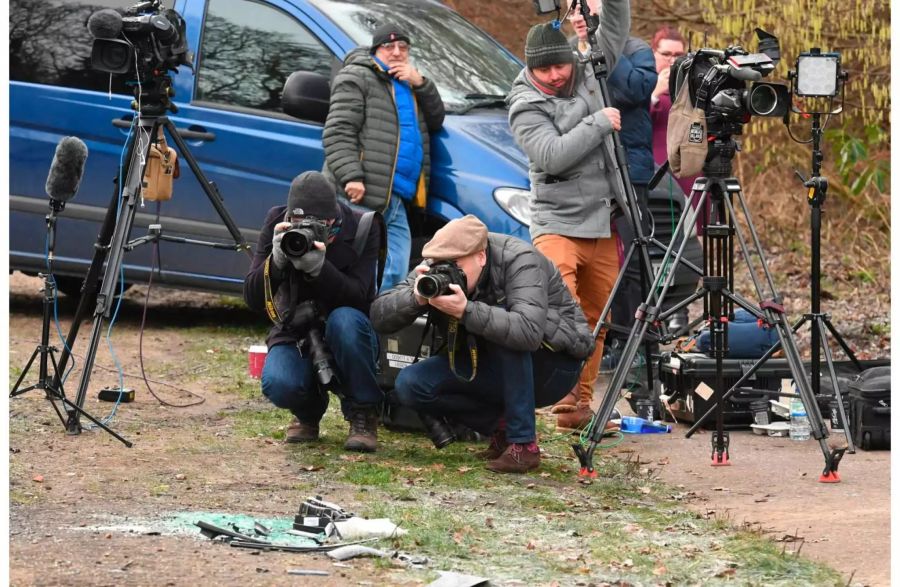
x=248 y=51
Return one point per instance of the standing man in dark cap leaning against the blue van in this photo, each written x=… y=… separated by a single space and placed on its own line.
x=376 y=137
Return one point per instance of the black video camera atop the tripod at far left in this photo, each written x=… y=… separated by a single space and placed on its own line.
x=144 y=39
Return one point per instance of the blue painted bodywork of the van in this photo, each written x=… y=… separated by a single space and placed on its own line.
x=251 y=160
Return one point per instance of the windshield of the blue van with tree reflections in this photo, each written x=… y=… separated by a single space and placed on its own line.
x=459 y=57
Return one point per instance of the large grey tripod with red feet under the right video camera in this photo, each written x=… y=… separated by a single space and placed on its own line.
x=717 y=290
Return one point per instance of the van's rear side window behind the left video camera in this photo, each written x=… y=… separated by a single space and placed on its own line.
x=49 y=43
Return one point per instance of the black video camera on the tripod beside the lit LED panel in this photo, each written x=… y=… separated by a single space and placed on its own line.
x=717 y=82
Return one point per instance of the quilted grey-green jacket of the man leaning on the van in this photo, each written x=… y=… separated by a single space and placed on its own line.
x=361 y=131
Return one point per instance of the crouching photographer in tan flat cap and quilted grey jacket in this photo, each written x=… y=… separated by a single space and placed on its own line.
x=520 y=339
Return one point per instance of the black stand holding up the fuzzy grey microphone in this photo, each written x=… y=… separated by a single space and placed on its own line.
x=46 y=353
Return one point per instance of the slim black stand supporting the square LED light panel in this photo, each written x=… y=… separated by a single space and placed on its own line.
x=820 y=323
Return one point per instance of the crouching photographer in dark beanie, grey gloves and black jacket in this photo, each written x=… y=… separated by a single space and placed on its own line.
x=314 y=274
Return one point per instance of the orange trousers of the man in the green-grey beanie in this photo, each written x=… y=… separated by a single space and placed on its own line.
x=589 y=266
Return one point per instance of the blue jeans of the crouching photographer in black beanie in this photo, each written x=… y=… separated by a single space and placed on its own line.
x=288 y=379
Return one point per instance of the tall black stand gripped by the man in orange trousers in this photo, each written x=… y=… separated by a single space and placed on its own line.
x=634 y=213
